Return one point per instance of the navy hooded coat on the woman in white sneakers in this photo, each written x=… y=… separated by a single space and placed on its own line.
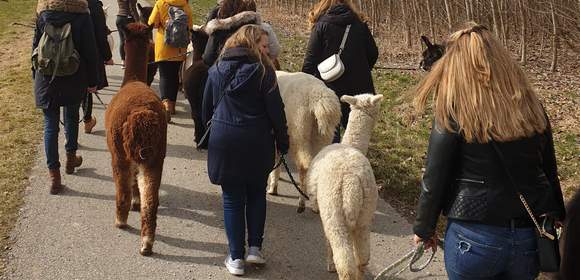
x=247 y=121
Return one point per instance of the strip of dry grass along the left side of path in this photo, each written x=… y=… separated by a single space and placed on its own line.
x=20 y=122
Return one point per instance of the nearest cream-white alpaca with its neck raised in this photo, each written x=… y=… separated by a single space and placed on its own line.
x=342 y=183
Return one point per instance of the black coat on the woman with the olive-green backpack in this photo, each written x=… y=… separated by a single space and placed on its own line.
x=71 y=89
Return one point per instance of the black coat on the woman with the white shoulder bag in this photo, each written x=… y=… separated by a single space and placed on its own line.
x=359 y=55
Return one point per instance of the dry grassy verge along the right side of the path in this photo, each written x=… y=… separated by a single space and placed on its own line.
x=398 y=147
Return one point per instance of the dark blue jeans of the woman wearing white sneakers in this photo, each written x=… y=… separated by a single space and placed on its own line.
x=244 y=202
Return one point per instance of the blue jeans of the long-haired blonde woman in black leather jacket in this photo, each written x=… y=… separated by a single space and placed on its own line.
x=476 y=251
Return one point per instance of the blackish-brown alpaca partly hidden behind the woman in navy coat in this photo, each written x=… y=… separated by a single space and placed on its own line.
x=194 y=78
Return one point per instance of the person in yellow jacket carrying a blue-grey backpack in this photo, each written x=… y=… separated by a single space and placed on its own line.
x=170 y=48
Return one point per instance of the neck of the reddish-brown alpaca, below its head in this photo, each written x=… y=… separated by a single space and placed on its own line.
x=136 y=63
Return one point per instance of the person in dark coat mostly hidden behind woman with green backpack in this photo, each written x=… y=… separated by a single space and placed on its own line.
x=104 y=57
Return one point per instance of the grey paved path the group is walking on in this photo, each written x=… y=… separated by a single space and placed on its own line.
x=72 y=235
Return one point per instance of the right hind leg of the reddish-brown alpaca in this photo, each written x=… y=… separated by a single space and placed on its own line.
x=149 y=182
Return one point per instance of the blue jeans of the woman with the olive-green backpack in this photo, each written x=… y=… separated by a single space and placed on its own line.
x=51 y=128
